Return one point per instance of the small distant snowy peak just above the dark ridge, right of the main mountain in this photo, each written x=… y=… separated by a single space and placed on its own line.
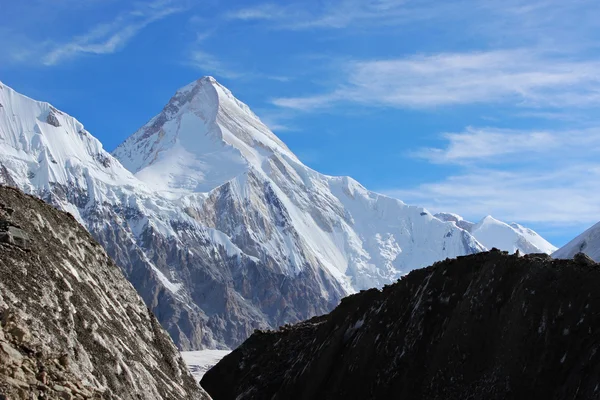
x=491 y=232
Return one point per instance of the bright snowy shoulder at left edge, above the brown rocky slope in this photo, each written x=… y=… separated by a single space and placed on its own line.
x=42 y=146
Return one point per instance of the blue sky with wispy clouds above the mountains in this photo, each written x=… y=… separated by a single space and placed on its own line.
x=475 y=107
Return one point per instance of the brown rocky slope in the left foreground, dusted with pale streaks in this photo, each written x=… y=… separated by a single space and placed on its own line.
x=71 y=325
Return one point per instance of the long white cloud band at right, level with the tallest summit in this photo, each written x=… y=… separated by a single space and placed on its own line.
x=422 y=81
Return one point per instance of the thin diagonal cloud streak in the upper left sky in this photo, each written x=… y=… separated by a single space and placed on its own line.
x=110 y=37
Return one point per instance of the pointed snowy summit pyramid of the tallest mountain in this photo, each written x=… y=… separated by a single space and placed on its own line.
x=203 y=138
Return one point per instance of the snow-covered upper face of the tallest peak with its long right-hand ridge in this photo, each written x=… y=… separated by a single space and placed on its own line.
x=275 y=208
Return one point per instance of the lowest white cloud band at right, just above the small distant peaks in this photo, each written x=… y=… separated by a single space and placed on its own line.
x=551 y=198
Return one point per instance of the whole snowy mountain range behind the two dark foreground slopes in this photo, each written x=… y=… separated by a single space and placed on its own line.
x=217 y=224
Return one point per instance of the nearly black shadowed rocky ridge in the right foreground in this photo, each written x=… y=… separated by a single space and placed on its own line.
x=485 y=326
